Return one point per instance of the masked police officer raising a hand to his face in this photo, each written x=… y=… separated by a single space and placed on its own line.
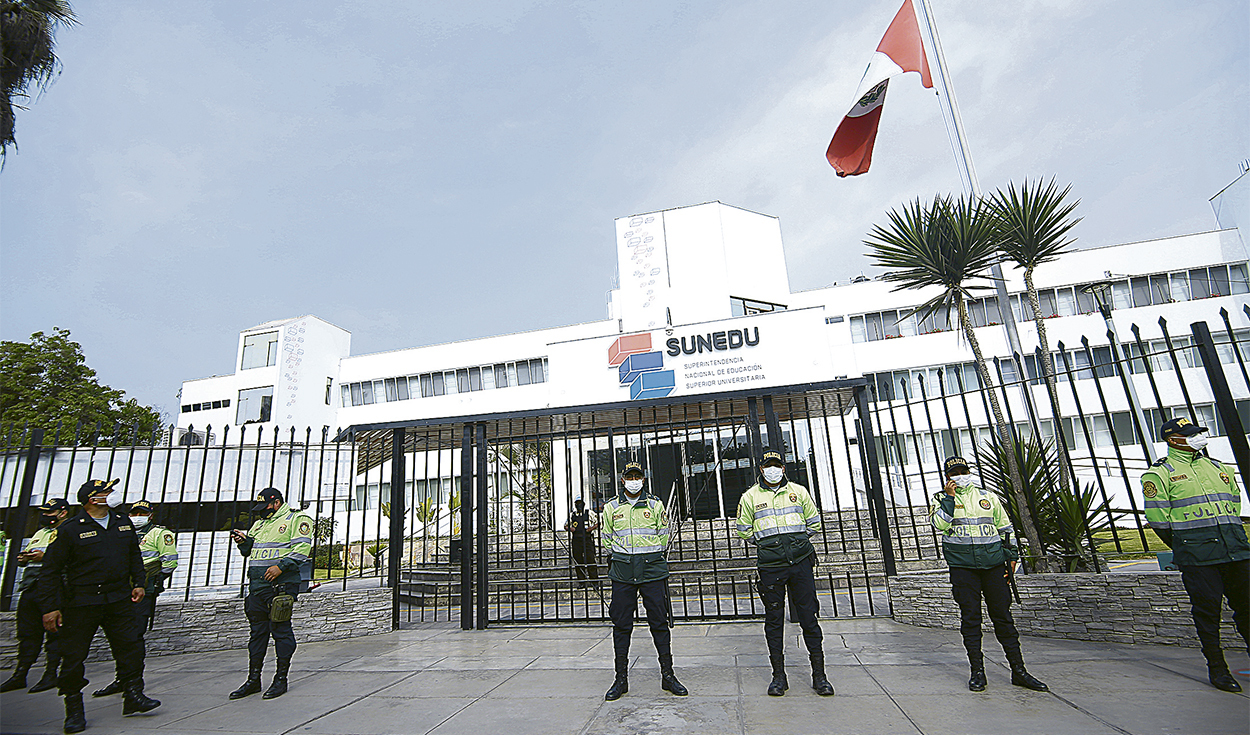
x=977 y=543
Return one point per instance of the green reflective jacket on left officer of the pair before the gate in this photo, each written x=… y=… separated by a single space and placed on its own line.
x=637 y=534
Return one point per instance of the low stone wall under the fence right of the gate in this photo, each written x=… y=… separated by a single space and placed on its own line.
x=1147 y=607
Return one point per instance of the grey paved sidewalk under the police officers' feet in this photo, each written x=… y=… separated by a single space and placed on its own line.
x=891 y=678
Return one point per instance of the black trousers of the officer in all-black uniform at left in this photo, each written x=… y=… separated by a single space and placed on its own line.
x=126 y=639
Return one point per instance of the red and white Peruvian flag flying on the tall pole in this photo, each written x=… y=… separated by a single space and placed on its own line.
x=851 y=152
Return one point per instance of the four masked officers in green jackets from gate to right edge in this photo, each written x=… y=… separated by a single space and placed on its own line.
x=1193 y=503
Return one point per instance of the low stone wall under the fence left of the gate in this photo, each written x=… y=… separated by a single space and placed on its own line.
x=211 y=626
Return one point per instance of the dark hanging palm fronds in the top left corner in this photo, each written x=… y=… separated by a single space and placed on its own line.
x=28 y=44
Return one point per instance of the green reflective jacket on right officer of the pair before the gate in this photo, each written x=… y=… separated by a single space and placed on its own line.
x=779 y=522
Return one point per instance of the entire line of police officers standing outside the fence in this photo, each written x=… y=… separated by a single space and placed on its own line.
x=103 y=569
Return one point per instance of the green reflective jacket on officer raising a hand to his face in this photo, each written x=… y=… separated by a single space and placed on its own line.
x=976 y=531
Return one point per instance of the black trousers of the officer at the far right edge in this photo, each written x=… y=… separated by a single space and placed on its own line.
x=1208 y=587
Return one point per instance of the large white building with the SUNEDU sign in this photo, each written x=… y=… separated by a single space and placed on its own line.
x=703 y=307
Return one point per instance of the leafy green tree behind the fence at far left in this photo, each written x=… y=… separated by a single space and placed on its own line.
x=47 y=382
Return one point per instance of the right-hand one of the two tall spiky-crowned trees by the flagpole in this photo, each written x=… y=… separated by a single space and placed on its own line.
x=1033 y=226
